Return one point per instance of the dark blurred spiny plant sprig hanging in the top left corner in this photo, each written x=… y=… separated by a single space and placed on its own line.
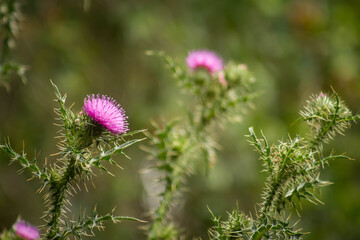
x=9 y=19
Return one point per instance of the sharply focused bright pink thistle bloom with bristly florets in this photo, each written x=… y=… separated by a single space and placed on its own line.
x=105 y=111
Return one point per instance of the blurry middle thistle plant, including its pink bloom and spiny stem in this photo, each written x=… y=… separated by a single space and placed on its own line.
x=219 y=93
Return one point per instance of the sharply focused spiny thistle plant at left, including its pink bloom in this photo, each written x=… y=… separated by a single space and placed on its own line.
x=88 y=139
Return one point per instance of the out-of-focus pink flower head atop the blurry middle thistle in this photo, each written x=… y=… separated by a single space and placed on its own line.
x=205 y=59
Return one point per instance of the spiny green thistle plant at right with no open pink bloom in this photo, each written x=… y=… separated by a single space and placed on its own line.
x=293 y=173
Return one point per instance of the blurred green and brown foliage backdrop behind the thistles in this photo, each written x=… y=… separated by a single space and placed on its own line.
x=294 y=48
